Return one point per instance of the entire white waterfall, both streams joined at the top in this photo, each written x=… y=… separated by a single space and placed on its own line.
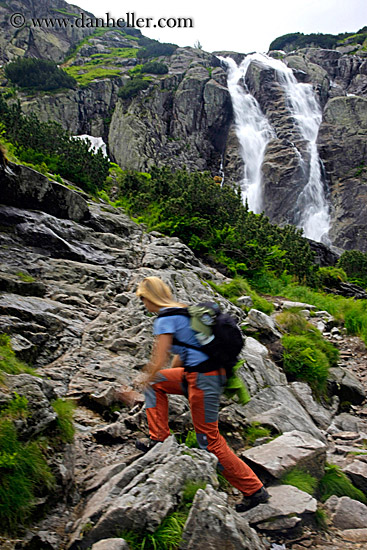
x=254 y=132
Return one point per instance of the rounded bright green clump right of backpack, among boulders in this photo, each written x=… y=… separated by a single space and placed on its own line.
x=304 y=361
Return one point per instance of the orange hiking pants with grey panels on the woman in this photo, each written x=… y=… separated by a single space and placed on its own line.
x=203 y=391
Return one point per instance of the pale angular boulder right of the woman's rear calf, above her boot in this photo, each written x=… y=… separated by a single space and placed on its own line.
x=291 y=450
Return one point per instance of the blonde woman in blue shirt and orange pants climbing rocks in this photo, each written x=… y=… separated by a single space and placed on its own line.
x=203 y=390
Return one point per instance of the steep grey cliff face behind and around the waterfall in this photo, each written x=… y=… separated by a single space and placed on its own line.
x=185 y=119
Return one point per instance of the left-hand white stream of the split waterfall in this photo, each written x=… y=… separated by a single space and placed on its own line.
x=253 y=132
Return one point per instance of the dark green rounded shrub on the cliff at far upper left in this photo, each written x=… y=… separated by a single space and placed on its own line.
x=38 y=74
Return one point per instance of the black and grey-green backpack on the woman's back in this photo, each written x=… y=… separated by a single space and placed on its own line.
x=220 y=337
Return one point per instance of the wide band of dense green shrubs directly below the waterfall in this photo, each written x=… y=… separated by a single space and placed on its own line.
x=213 y=221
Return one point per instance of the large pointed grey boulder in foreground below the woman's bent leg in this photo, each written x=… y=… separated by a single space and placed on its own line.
x=145 y=492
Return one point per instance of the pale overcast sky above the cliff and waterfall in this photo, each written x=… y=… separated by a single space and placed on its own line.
x=237 y=25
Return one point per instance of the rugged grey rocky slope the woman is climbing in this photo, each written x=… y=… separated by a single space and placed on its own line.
x=77 y=319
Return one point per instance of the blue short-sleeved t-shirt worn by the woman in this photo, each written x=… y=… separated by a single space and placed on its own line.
x=179 y=327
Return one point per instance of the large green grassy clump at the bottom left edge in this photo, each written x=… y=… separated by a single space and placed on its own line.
x=24 y=476
